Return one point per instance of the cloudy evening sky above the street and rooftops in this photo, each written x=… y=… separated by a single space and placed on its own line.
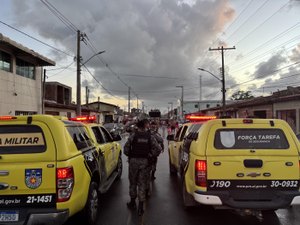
x=152 y=46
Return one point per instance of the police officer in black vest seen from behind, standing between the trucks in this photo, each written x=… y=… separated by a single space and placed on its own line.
x=139 y=147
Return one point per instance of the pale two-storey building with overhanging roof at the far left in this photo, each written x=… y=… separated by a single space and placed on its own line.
x=21 y=72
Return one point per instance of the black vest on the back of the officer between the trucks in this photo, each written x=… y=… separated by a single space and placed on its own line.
x=141 y=145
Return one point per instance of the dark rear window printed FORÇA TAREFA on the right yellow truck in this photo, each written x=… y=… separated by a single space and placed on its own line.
x=250 y=138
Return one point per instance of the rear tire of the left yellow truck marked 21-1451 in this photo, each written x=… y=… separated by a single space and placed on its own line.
x=91 y=210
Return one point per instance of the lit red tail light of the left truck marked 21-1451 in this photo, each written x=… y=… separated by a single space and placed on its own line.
x=64 y=183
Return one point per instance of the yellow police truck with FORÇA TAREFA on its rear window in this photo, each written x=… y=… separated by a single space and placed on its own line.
x=244 y=164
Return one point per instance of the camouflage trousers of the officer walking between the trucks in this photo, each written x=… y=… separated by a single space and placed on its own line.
x=138 y=178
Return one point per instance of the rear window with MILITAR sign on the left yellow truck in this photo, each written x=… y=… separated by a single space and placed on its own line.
x=18 y=139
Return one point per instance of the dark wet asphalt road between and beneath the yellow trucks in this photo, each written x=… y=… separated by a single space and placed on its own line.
x=164 y=207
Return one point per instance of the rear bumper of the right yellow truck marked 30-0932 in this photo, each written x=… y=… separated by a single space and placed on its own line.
x=251 y=200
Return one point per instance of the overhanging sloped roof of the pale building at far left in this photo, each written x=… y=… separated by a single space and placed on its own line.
x=25 y=53
